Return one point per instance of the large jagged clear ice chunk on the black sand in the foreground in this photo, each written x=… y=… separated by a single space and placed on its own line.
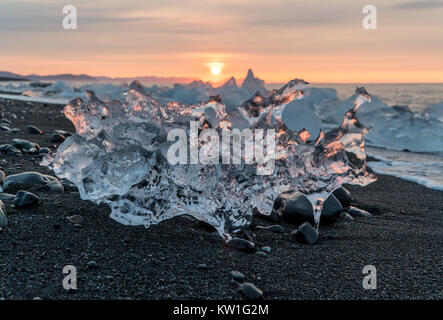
x=118 y=156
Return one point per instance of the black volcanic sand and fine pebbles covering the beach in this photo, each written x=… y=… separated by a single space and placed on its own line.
x=403 y=241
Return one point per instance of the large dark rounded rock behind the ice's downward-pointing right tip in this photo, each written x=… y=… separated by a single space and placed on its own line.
x=296 y=207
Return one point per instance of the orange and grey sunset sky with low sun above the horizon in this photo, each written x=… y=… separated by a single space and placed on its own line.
x=318 y=40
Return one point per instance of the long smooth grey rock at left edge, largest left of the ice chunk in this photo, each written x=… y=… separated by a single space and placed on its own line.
x=33 y=178
